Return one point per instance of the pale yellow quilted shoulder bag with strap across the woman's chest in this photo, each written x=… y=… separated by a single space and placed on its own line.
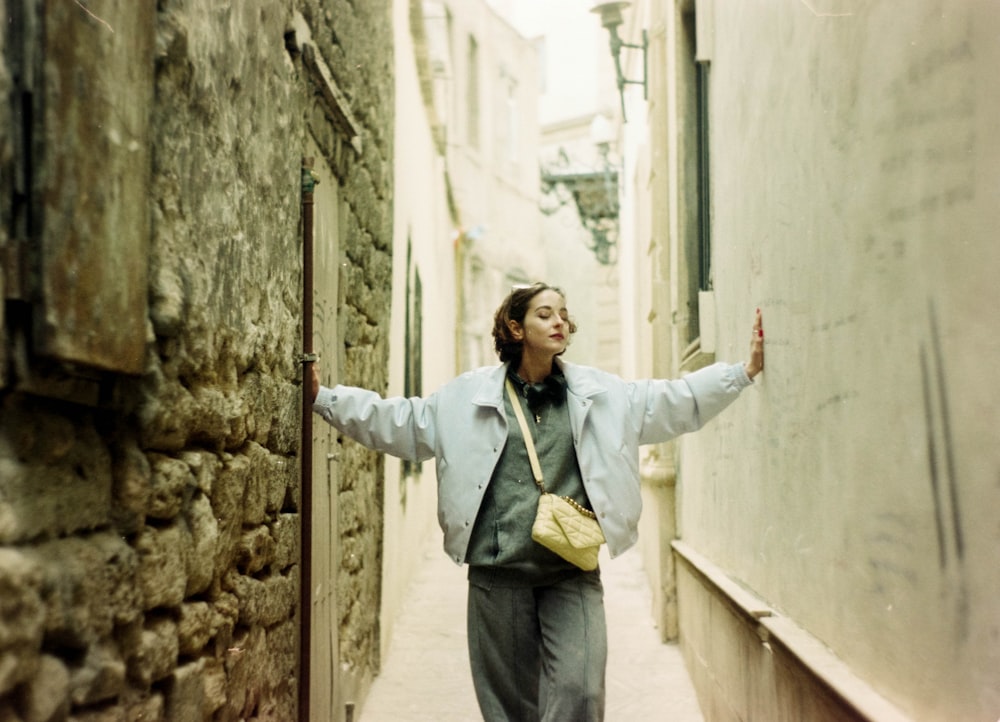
x=561 y=524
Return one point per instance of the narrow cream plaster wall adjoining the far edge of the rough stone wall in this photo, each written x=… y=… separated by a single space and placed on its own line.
x=422 y=229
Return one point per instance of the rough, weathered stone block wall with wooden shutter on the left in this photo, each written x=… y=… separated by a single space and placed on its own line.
x=150 y=340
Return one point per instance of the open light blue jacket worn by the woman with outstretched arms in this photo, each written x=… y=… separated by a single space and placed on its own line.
x=464 y=427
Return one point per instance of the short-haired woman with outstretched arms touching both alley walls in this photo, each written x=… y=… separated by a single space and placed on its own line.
x=536 y=631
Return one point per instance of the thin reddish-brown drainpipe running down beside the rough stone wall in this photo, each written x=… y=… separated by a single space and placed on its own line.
x=309 y=181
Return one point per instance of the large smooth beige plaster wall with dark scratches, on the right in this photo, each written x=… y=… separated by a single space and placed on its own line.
x=854 y=490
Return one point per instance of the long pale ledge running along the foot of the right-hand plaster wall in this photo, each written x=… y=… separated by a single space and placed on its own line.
x=773 y=628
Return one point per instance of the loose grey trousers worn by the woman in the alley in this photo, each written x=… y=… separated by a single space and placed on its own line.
x=539 y=653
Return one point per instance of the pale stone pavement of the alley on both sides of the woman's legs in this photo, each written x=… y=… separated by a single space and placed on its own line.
x=425 y=676
